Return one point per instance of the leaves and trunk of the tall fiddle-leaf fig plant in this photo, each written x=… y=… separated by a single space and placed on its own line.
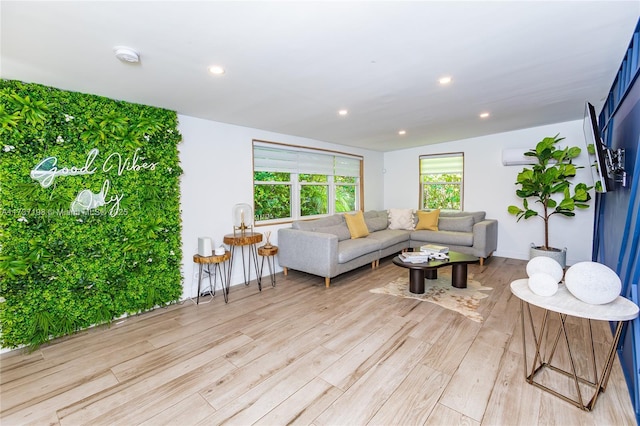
x=548 y=184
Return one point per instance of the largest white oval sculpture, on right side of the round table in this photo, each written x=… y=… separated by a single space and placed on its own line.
x=593 y=283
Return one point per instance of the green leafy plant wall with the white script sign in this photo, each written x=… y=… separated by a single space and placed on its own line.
x=89 y=211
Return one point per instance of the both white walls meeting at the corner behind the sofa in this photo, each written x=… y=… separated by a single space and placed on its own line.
x=216 y=159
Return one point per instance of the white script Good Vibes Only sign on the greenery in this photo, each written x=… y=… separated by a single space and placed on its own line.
x=48 y=170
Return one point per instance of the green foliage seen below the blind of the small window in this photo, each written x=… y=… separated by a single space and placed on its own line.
x=441 y=191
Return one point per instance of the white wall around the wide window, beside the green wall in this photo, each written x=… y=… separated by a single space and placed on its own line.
x=217 y=162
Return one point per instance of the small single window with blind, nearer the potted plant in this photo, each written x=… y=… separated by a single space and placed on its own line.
x=441 y=179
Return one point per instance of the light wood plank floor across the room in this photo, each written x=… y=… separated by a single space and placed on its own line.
x=303 y=354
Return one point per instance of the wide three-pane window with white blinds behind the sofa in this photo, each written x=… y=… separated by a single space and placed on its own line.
x=292 y=182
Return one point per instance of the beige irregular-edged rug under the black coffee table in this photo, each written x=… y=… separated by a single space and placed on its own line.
x=439 y=291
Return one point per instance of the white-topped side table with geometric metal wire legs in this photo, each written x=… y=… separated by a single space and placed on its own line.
x=564 y=304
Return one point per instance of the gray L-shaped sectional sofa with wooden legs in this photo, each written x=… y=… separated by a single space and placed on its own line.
x=324 y=246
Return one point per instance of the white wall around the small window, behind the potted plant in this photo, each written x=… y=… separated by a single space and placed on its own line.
x=490 y=186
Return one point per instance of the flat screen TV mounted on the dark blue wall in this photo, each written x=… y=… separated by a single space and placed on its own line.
x=597 y=150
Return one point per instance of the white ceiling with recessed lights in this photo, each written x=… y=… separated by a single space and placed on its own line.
x=290 y=66
